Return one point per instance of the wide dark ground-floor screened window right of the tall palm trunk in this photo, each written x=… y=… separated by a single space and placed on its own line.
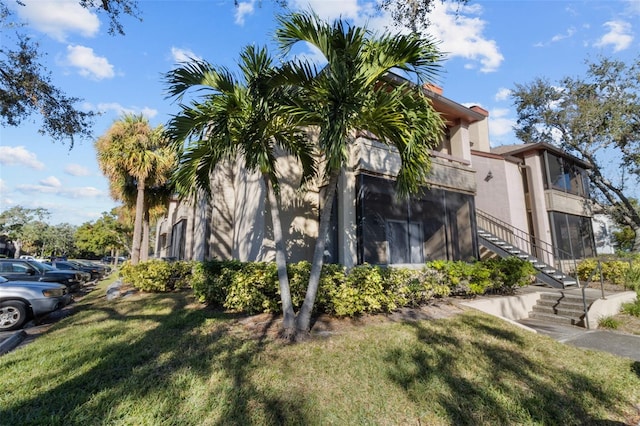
x=435 y=224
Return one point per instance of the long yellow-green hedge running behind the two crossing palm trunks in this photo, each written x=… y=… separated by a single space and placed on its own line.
x=253 y=287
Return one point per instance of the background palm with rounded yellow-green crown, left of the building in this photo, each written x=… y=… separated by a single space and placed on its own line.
x=133 y=155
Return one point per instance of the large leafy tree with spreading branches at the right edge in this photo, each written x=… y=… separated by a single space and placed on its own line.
x=595 y=118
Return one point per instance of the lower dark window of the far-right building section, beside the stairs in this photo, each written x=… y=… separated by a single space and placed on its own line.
x=572 y=236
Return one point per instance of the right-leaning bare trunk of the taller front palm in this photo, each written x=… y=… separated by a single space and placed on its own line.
x=303 y=321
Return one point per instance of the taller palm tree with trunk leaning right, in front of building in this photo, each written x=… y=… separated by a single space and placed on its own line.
x=352 y=92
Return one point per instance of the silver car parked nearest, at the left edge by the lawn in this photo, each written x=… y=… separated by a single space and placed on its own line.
x=21 y=301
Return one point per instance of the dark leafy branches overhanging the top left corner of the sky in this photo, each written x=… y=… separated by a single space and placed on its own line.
x=25 y=84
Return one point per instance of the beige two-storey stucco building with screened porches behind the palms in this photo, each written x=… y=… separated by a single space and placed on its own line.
x=534 y=191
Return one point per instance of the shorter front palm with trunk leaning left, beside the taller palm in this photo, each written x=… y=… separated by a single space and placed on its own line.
x=239 y=118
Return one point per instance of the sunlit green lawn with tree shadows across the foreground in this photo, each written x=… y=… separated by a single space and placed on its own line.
x=162 y=359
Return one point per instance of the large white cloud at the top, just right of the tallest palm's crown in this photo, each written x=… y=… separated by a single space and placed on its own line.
x=461 y=32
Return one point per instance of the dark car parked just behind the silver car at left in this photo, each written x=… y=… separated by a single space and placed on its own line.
x=31 y=270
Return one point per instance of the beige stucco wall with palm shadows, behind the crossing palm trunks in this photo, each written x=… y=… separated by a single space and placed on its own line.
x=240 y=223
